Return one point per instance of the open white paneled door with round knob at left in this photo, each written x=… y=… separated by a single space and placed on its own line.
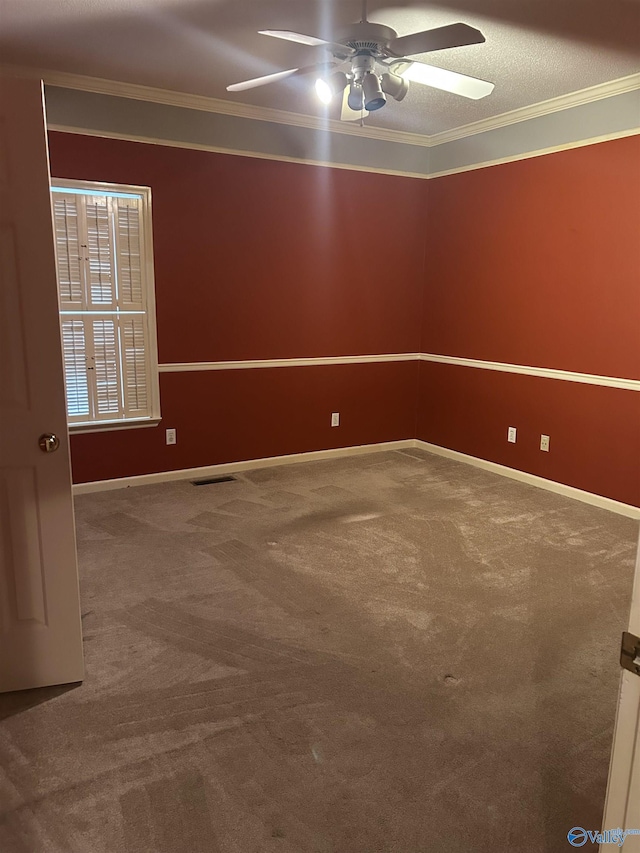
x=40 y=629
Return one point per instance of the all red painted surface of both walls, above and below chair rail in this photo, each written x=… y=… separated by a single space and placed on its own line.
x=535 y=263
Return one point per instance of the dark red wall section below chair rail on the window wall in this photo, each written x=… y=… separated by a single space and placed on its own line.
x=231 y=415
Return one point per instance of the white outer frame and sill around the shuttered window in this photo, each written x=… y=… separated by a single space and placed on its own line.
x=148 y=275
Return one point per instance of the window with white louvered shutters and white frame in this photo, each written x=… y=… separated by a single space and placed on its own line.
x=107 y=306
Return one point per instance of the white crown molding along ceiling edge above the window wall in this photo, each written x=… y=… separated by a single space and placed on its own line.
x=203 y=103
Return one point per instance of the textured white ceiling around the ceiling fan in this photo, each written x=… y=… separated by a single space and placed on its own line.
x=534 y=50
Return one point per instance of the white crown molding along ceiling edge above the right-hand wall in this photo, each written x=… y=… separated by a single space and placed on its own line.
x=543 y=108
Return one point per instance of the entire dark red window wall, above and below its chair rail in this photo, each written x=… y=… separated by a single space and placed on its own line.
x=258 y=259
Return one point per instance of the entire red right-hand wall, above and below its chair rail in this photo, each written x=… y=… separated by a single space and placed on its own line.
x=538 y=263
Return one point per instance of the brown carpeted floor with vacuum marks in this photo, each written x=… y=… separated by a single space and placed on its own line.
x=390 y=653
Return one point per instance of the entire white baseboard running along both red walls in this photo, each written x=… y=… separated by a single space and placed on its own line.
x=340 y=452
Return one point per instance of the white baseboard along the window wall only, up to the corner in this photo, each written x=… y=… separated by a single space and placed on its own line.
x=234 y=467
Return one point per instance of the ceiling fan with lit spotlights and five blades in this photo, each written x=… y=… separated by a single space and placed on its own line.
x=375 y=64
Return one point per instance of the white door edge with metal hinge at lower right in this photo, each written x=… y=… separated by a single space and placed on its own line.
x=622 y=808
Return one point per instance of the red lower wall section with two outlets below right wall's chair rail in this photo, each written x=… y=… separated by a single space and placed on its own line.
x=594 y=431
